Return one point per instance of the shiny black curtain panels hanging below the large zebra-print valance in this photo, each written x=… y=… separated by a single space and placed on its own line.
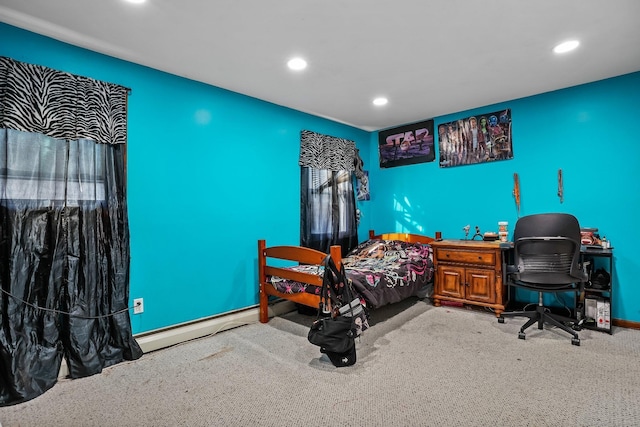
x=64 y=261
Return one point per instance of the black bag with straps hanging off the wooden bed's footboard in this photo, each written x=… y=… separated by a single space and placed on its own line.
x=332 y=331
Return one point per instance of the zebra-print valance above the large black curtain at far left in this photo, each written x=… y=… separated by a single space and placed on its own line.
x=61 y=105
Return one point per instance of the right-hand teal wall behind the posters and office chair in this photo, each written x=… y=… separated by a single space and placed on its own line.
x=588 y=131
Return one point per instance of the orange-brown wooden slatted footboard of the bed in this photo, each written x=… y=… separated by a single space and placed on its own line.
x=292 y=253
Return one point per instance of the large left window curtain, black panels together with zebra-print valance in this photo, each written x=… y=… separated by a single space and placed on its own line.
x=64 y=233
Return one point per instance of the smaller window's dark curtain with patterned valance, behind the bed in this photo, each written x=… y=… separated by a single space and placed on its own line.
x=327 y=197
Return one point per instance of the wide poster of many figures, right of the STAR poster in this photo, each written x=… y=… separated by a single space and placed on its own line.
x=476 y=139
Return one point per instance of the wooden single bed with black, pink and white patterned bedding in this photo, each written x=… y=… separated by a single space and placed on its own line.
x=385 y=269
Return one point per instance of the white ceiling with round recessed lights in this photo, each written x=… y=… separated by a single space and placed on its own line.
x=429 y=57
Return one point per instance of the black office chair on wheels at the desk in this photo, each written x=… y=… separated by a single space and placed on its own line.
x=546 y=259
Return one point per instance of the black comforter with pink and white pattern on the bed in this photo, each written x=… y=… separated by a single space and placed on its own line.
x=382 y=271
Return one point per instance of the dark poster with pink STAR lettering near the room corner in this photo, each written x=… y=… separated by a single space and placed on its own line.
x=407 y=145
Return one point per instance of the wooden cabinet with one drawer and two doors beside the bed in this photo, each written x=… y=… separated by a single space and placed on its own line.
x=469 y=272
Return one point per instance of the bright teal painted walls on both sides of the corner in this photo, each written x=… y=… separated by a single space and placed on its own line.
x=211 y=172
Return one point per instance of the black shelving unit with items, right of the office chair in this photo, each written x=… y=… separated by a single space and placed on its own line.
x=593 y=258
